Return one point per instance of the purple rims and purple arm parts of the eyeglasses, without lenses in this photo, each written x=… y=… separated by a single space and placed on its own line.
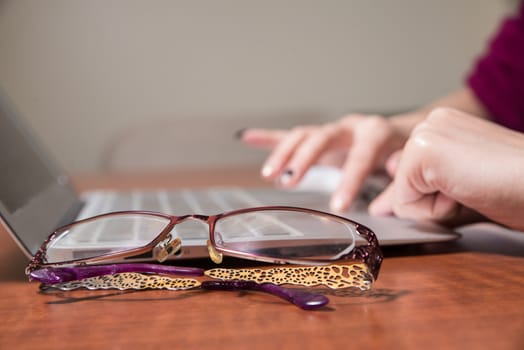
x=56 y=273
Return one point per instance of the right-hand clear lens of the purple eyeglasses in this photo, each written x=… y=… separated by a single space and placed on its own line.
x=284 y=235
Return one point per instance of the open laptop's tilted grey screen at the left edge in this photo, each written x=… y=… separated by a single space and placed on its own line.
x=34 y=194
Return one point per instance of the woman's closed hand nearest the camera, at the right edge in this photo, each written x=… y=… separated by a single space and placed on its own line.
x=454 y=160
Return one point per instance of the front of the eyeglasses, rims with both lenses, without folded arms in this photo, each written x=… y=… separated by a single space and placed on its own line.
x=275 y=234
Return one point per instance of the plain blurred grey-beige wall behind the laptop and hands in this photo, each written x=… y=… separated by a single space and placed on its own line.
x=147 y=85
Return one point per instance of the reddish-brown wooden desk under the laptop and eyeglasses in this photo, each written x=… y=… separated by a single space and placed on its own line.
x=467 y=294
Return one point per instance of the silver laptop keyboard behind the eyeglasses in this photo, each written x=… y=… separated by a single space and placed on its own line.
x=207 y=201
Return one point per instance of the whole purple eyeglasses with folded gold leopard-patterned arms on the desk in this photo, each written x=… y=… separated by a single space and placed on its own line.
x=79 y=255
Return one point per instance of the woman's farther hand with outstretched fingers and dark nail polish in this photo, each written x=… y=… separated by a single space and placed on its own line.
x=358 y=144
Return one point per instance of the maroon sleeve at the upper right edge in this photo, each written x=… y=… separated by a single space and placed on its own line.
x=497 y=79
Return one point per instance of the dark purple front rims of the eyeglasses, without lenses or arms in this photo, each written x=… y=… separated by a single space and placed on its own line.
x=369 y=254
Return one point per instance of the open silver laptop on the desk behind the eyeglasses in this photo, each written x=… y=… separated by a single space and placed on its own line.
x=36 y=197
